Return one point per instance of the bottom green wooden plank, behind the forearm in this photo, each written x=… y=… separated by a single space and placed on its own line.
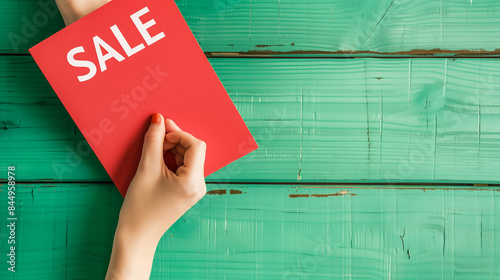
x=65 y=231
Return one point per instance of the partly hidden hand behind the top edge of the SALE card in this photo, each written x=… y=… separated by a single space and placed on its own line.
x=72 y=10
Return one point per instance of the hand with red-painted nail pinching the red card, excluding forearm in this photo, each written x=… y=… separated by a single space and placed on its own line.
x=158 y=196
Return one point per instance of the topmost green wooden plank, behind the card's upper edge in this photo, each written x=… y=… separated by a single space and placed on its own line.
x=301 y=27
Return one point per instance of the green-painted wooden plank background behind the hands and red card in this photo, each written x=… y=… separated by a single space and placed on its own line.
x=379 y=131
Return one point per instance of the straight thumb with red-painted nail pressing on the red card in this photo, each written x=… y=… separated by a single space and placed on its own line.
x=152 y=149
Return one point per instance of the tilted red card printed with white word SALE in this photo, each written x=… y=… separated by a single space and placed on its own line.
x=125 y=61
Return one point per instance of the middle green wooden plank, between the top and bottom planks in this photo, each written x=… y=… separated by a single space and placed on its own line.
x=325 y=120
